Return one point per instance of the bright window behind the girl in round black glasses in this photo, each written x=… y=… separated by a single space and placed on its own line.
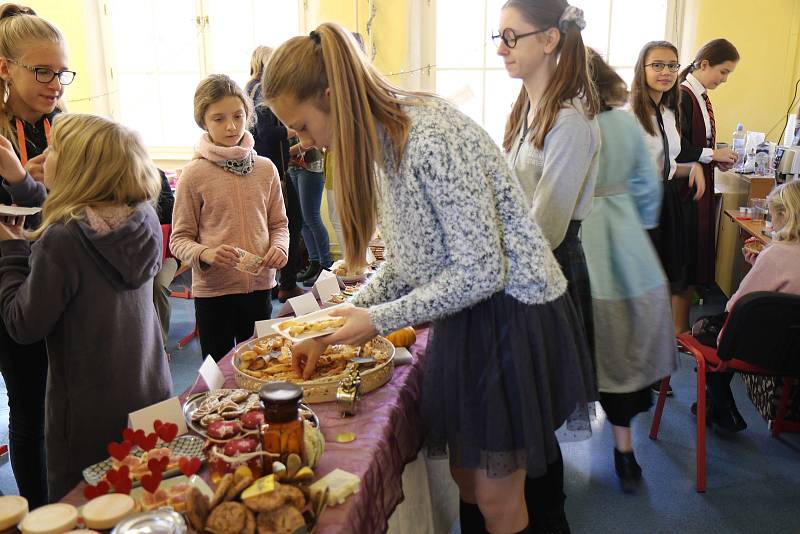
x=469 y=72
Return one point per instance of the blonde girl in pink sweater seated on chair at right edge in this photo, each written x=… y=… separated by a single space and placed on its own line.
x=774 y=269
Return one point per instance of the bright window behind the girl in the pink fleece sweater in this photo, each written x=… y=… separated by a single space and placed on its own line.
x=161 y=50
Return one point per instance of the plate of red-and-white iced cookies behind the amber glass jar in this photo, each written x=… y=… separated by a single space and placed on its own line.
x=204 y=411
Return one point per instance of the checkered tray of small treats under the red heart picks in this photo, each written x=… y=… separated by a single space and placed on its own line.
x=137 y=460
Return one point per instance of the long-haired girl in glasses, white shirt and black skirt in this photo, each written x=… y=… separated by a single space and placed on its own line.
x=655 y=101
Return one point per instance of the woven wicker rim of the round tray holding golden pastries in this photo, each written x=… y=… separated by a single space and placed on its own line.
x=323 y=390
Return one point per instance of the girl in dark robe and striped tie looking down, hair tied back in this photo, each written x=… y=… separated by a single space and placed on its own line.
x=714 y=62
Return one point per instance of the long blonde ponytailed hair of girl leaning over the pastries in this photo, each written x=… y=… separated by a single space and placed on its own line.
x=302 y=68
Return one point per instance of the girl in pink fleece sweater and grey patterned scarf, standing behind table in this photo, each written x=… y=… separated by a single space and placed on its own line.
x=228 y=199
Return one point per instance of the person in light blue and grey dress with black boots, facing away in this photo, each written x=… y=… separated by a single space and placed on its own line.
x=629 y=290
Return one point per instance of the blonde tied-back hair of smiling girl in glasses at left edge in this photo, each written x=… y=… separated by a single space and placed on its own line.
x=19 y=28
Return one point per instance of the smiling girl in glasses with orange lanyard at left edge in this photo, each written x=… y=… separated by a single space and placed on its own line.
x=33 y=73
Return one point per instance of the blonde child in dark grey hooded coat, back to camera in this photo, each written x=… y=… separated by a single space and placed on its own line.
x=86 y=286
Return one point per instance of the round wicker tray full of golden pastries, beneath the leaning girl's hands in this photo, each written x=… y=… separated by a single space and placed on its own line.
x=269 y=359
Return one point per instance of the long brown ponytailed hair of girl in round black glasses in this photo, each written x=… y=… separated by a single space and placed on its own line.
x=570 y=80
